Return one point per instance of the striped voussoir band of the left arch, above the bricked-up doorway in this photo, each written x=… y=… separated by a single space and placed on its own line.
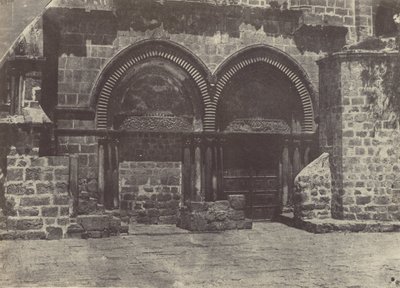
x=125 y=60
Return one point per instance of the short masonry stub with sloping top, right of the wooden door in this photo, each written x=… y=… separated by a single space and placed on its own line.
x=312 y=193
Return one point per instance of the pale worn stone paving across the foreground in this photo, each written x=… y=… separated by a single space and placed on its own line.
x=270 y=255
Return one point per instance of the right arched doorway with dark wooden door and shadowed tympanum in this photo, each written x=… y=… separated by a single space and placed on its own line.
x=266 y=115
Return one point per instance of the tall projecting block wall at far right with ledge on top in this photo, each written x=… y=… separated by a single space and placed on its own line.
x=366 y=144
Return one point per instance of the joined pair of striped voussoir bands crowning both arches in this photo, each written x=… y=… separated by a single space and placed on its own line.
x=198 y=73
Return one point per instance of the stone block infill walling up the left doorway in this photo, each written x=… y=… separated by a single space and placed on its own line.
x=150 y=192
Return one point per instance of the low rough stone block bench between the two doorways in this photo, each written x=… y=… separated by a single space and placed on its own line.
x=215 y=216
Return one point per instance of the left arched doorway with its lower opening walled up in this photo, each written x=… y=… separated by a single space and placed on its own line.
x=148 y=98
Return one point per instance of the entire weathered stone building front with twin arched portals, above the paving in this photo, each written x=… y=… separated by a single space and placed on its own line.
x=137 y=91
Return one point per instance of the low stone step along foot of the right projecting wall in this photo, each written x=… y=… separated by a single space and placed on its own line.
x=334 y=225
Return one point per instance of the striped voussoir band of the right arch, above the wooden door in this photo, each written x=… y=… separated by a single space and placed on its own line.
x=280 y=61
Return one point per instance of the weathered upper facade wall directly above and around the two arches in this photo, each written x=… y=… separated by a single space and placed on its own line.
x=88 y=40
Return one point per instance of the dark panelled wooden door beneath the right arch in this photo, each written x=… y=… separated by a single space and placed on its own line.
x=251 y=168
